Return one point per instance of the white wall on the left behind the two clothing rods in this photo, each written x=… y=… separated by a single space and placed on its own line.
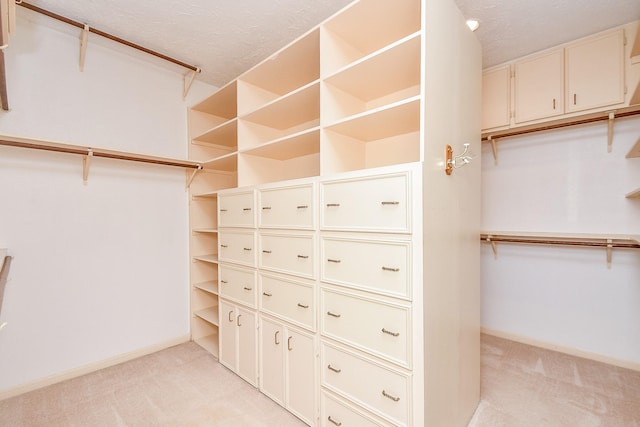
x=99 y=270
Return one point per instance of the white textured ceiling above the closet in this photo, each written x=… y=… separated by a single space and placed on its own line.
x=227 y=37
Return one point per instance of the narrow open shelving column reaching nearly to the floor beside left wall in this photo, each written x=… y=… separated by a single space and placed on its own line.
x=213 y=141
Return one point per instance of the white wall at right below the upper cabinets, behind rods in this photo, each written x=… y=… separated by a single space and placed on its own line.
x=564 y=181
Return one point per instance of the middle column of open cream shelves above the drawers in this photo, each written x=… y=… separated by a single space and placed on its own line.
x=279 y=115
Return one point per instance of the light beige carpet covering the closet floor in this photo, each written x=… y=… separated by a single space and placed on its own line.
x=522 y=386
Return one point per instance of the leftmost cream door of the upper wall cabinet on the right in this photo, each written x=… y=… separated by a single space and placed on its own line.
x=496 y=97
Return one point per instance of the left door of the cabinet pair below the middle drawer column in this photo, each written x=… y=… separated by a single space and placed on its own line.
x=273 y=342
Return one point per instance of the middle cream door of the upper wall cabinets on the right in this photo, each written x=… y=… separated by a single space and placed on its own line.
x=539 y=86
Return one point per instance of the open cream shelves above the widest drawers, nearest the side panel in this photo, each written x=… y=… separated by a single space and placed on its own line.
x=370 y=71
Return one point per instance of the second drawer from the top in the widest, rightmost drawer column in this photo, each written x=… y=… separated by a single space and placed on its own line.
x=373 y=265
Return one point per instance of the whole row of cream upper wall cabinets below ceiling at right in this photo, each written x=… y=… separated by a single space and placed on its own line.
x=587 y=75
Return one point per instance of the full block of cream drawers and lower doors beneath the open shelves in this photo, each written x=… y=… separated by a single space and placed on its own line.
x=323 y=271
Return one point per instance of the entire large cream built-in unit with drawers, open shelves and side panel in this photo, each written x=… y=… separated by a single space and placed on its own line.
x=339 y=138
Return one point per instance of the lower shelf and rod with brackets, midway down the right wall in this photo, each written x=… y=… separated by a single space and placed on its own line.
x=589 y=240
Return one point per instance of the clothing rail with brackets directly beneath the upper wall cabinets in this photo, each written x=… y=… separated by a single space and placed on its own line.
x=609 y=116
